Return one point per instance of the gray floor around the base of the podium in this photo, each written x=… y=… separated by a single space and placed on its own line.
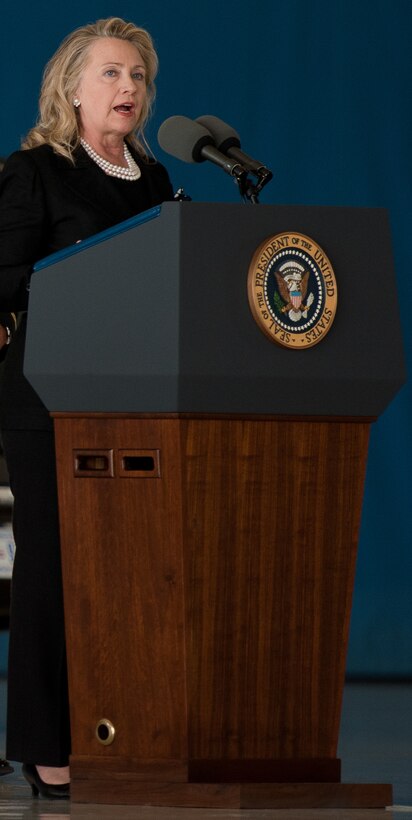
x=375 y=746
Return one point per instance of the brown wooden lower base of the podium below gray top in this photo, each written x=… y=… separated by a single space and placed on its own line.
x=208 y=570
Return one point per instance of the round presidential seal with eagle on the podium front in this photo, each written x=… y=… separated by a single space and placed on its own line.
x=292 y=290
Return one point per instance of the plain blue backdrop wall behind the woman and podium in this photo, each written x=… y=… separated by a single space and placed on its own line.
x=321 y=92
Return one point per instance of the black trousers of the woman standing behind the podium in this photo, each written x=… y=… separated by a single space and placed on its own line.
x=38 y=725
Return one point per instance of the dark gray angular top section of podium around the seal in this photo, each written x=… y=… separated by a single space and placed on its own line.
x=156 y=319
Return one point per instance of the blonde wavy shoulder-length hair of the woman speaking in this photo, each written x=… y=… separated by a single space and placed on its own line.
x=57 y=123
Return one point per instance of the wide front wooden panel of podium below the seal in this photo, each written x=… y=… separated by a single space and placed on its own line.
x=272 y=515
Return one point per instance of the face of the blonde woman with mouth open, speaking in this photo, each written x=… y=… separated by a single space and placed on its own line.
x=112 y=90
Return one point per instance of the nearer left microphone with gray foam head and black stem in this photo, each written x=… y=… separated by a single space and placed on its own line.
x=191 y=141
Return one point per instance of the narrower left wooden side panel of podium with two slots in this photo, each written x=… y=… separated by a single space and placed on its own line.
x=124 y=594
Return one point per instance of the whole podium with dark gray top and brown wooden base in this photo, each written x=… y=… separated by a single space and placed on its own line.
x=210 y=491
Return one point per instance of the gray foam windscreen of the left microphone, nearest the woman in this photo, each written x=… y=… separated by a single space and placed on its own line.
x=184 y=138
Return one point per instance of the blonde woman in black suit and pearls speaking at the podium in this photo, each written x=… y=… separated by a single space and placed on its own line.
x=82 y=168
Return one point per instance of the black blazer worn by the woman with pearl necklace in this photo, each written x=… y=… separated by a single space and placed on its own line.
x=46 y=204
